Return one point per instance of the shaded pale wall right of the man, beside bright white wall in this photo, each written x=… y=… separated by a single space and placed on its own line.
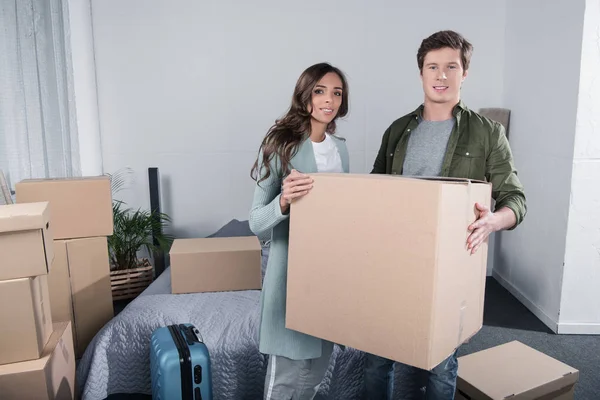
x=543 y=53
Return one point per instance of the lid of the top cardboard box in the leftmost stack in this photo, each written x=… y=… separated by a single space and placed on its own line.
x=24 y=216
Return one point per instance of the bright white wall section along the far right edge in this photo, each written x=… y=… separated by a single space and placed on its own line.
x=580 y=303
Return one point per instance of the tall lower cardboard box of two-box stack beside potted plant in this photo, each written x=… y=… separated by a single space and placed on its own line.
x=80 y=288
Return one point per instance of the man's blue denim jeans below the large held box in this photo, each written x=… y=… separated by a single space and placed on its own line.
x=440 y=382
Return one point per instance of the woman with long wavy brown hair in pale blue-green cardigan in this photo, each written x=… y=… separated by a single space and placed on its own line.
x=303 y=140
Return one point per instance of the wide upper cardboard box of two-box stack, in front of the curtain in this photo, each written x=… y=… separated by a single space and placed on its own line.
x=80 y=207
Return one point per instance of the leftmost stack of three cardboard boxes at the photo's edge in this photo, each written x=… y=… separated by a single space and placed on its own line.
x=28 y=339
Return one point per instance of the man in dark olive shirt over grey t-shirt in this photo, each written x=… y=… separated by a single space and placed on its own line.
x=444 y=138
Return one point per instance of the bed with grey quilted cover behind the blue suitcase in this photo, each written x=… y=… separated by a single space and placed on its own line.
x=117 y=359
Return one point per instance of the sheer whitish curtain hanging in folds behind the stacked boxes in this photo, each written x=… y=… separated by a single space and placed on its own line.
x=38 y=130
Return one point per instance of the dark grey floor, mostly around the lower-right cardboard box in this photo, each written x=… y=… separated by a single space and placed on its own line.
x=506 y=319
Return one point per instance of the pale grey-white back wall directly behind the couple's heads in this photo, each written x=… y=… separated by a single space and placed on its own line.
x=192 y=86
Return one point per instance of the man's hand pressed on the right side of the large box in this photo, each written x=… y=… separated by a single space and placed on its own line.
x=487 y=223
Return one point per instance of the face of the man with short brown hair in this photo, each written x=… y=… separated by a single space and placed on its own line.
x=442 y=75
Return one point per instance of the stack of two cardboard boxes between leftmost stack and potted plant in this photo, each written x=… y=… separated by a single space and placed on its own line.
x=79 y=278
